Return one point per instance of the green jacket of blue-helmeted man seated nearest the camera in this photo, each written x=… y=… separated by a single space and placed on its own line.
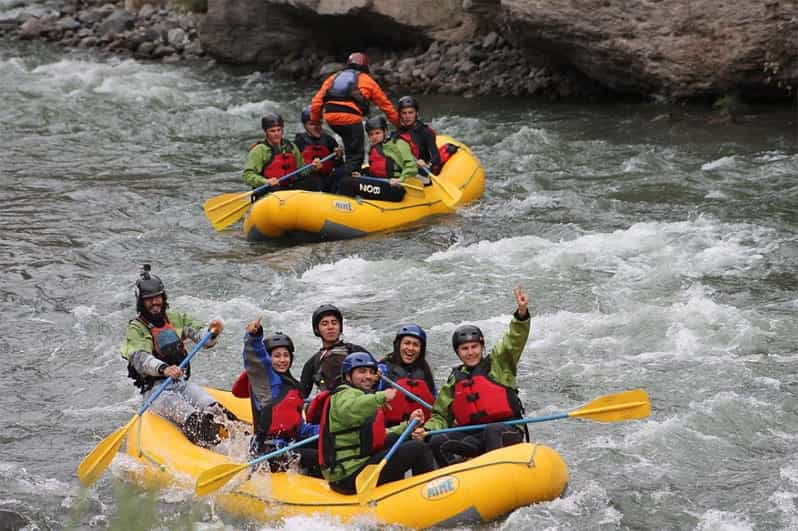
x=350 y=407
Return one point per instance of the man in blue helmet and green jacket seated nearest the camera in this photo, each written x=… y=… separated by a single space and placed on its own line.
x=353 y=432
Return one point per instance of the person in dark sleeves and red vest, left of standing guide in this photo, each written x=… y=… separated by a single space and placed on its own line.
x=315 y=143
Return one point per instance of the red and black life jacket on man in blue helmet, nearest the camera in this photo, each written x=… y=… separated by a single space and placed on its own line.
x=371 y=436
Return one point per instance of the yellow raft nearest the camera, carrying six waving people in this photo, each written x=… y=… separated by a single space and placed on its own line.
x=478 y=490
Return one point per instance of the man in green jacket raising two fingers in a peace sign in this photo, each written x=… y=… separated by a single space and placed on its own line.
x=482 y=390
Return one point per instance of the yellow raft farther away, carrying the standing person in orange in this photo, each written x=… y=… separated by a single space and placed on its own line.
x=320 y=216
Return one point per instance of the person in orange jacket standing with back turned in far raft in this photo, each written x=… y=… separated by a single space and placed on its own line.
x=343 y=102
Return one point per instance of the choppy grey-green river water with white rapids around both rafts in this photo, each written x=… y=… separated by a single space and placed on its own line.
x=657 y=246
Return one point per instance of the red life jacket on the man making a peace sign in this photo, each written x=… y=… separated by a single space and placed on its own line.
x=479 y=399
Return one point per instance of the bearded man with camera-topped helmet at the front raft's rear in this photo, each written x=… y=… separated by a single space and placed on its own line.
x=154 y=349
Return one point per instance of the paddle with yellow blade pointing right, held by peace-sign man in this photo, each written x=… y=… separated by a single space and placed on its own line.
x=627 y=405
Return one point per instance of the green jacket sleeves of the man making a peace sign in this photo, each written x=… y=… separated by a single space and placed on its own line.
x=503 y=368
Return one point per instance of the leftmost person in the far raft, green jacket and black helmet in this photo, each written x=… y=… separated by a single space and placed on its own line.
x=273 y=158
